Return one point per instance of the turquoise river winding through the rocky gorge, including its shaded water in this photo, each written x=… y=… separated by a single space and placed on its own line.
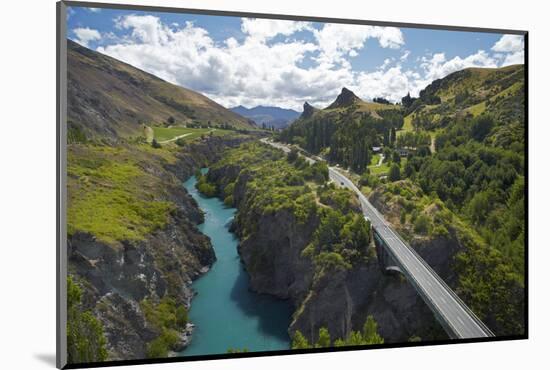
x=225 y=312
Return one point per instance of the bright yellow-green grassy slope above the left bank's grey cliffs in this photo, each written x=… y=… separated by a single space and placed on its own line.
x=114 y=193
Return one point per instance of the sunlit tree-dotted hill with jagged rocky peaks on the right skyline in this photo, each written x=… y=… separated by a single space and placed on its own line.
x=466 y=94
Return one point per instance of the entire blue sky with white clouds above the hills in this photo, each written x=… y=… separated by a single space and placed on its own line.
x=236 y=60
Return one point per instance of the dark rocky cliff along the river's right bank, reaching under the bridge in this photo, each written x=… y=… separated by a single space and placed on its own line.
x=340 y=301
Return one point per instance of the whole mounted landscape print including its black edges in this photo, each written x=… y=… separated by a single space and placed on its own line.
x=235 y=184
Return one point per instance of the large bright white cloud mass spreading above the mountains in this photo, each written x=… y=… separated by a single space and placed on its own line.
x=264 y=69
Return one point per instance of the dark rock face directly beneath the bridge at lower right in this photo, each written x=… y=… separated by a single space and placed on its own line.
x=343 y=300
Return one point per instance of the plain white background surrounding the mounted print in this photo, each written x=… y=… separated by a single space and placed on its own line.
x=27 y=182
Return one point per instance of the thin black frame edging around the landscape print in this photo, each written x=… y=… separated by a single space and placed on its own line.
x=61 y=251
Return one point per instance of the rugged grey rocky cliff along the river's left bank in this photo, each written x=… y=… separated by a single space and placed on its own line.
x=117 y=278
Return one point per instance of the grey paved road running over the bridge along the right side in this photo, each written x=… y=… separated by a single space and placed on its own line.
x=455 y=316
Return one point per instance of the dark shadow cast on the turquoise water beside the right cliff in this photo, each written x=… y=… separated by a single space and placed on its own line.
x=273 y=314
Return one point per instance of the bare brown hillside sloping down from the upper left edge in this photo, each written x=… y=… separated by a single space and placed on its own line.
x=109 y=98
